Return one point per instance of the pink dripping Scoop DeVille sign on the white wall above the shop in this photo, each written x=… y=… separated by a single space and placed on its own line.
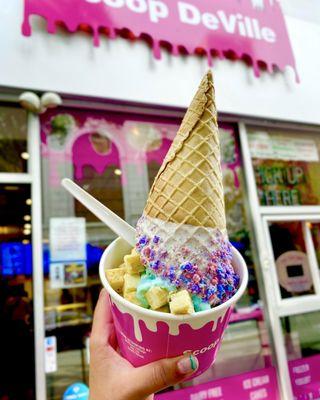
x=251 y=30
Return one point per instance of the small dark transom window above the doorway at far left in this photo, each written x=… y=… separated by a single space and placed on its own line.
x=13 y=140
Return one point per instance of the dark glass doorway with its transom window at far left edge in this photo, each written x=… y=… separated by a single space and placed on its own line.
x=17 y=379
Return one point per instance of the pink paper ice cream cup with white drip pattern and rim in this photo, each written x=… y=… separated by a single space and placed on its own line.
x=145 y=335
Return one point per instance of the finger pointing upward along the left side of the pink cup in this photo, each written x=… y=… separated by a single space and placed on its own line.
x=102 y=326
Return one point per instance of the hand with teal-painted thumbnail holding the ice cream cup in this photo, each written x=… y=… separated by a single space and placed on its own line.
x=114 y=378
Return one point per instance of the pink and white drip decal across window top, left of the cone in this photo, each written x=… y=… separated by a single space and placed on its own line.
x=89 y=139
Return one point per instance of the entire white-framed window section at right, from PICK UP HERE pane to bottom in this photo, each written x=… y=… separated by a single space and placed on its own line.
x=282 y=170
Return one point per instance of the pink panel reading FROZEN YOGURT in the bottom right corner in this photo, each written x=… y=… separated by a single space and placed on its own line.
x=305 y=377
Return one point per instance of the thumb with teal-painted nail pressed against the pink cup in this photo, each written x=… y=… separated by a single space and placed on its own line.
x=163 y=373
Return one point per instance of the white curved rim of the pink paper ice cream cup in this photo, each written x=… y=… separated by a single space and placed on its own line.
x=166 y=316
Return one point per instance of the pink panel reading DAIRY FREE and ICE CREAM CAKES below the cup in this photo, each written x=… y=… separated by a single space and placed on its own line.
x=254 y=385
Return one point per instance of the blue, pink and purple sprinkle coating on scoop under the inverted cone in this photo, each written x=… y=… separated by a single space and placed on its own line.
x=215 y=284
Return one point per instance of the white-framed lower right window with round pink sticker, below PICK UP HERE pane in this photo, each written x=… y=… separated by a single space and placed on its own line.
x=294 y=275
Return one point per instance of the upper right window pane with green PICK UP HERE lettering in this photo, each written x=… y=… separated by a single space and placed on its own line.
x=286 y=166
